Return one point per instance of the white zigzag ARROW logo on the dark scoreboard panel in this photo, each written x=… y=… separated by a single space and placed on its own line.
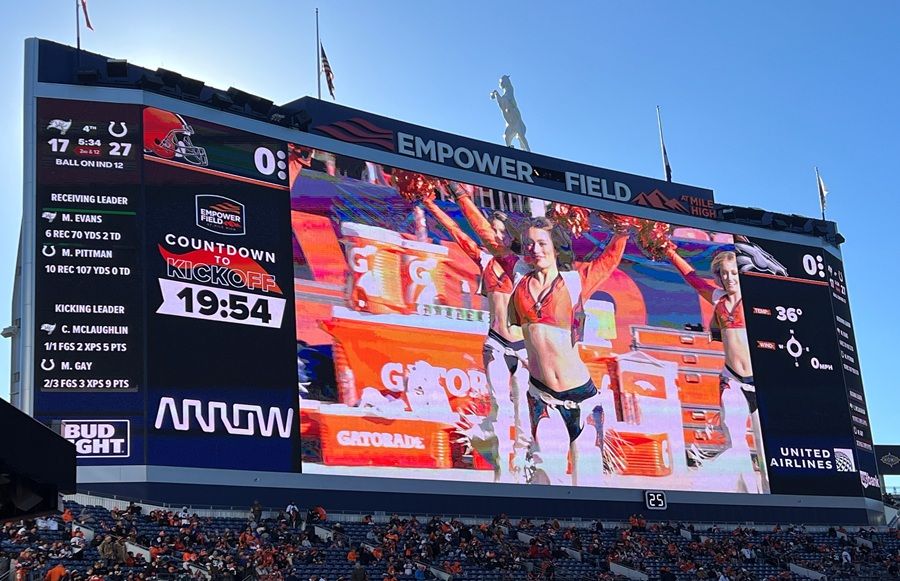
x=237 y=419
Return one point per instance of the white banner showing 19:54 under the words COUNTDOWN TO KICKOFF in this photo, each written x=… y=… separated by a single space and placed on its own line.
x=216 y=304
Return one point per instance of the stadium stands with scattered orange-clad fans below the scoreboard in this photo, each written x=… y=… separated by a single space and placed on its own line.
x=187 y=546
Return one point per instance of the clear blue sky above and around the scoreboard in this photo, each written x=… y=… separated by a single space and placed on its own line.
x=753 y=94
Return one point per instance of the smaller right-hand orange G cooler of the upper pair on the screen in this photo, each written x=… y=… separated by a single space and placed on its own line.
x=423 y=277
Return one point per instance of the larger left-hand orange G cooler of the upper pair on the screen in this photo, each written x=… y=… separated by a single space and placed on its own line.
x=374 y=259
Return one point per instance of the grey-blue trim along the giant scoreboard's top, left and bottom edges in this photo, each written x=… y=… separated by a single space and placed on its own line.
x=865 y=512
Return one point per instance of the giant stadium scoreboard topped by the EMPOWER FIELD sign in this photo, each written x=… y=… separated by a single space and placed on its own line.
x=354 y=303
